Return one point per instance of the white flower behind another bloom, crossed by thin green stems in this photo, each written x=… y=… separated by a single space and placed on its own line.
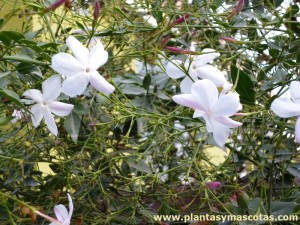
x=196 y=67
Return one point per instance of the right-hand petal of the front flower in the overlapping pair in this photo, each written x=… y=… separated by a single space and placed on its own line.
x=226 y=105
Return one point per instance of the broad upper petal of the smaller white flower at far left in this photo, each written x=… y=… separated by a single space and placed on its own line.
x=51 y=88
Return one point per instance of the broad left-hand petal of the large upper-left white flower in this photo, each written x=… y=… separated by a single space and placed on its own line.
x=65 y=64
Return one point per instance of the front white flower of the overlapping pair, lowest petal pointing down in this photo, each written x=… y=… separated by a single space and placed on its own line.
x=214 y=108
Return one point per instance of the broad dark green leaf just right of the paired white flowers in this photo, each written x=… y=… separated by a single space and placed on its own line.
x=244 y=85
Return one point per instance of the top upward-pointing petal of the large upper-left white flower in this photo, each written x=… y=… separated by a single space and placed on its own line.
x=80 y=52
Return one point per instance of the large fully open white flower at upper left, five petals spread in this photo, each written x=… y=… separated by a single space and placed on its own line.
x=81 y=69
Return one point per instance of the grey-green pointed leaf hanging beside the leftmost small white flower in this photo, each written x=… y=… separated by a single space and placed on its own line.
x=72 y=125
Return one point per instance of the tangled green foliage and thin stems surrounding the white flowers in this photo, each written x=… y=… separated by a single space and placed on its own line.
x=134 y=154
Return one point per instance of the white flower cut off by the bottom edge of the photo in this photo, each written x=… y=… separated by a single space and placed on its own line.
x=62 y=214
